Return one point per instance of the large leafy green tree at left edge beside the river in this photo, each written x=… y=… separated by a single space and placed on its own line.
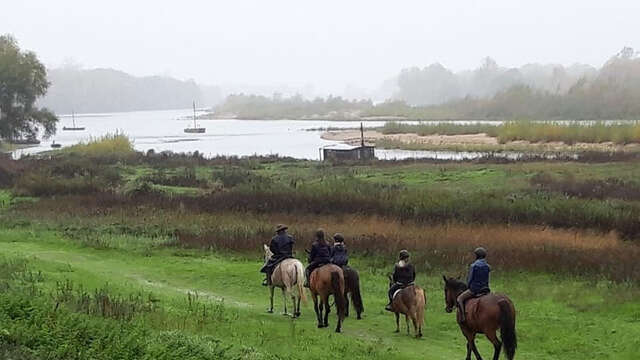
x=23 y=79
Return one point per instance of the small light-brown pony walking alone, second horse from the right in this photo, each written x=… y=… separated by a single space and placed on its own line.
x=411 y=302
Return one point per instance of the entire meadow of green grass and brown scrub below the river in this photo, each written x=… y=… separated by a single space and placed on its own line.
x=155 y=256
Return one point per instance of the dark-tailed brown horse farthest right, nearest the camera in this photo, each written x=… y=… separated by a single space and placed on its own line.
x=484 y=315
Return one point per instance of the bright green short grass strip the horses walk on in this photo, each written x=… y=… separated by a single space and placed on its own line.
x=558 y=317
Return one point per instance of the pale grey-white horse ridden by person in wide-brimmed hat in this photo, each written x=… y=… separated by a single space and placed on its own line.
x=287 y=275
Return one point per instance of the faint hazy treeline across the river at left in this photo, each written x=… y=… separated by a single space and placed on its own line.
x=107 y=90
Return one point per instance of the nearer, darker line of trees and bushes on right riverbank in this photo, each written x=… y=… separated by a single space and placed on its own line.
x=613 y=92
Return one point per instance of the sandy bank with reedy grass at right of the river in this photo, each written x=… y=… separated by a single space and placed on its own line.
x=471 y=142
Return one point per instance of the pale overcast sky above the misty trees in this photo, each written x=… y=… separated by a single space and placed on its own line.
x=329 y=44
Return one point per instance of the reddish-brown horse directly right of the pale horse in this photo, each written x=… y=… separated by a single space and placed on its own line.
x=325 y=281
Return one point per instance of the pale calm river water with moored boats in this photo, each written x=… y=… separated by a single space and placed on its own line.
x=164 y=130
